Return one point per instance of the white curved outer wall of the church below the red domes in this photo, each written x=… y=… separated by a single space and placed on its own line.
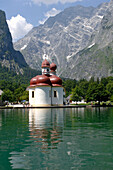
x=42 y=98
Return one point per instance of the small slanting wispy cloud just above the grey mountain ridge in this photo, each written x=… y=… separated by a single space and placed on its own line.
x=48 y=14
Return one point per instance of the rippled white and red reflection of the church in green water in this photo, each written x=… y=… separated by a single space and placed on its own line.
x=46 y=126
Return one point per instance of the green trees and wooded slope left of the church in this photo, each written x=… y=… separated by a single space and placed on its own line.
x=13 y=85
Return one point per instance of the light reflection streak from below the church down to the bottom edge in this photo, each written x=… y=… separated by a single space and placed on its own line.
x=45 y=133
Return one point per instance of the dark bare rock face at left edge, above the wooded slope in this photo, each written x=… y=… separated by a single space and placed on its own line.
x=10 y=58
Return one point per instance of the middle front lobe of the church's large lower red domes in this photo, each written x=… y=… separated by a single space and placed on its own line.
x=43 y=80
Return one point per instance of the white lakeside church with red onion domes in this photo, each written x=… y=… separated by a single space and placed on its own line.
x=46 y=89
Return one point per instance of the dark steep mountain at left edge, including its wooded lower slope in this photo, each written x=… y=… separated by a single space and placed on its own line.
x=13 y=67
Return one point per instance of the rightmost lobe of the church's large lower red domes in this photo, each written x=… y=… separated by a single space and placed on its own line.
x=56 y=81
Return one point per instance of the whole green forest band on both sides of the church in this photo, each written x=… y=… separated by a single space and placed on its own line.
x=14 y=87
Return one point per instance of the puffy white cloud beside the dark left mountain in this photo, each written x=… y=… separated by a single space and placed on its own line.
x=18 y=27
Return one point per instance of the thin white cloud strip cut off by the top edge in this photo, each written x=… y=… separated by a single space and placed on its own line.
x=48 y=2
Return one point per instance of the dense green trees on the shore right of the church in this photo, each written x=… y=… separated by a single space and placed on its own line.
x=99 y=90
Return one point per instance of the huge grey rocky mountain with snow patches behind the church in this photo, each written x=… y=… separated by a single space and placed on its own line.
x=79 y=39
